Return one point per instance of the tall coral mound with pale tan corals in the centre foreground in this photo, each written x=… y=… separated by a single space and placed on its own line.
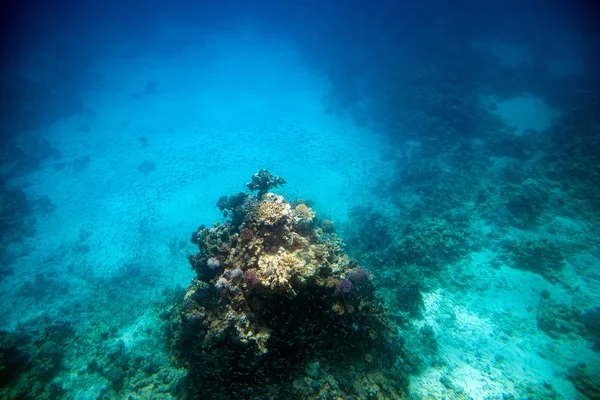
x=286 y=314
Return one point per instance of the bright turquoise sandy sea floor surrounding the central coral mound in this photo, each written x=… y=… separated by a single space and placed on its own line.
x=143 y=167
